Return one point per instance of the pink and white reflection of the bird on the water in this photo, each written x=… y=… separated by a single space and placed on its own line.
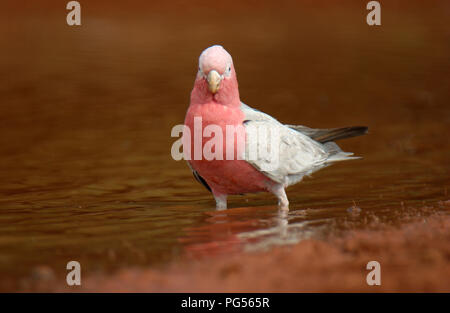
x=246 y=228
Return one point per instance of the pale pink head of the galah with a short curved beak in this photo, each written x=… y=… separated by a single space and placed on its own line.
x=216 y=78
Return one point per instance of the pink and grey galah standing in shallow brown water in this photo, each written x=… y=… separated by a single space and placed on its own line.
x=215 y=101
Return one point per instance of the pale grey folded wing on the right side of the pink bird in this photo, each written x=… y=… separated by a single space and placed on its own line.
x=285 y=160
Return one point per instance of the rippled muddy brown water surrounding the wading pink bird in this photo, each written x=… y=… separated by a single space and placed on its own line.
x=85 y=117
